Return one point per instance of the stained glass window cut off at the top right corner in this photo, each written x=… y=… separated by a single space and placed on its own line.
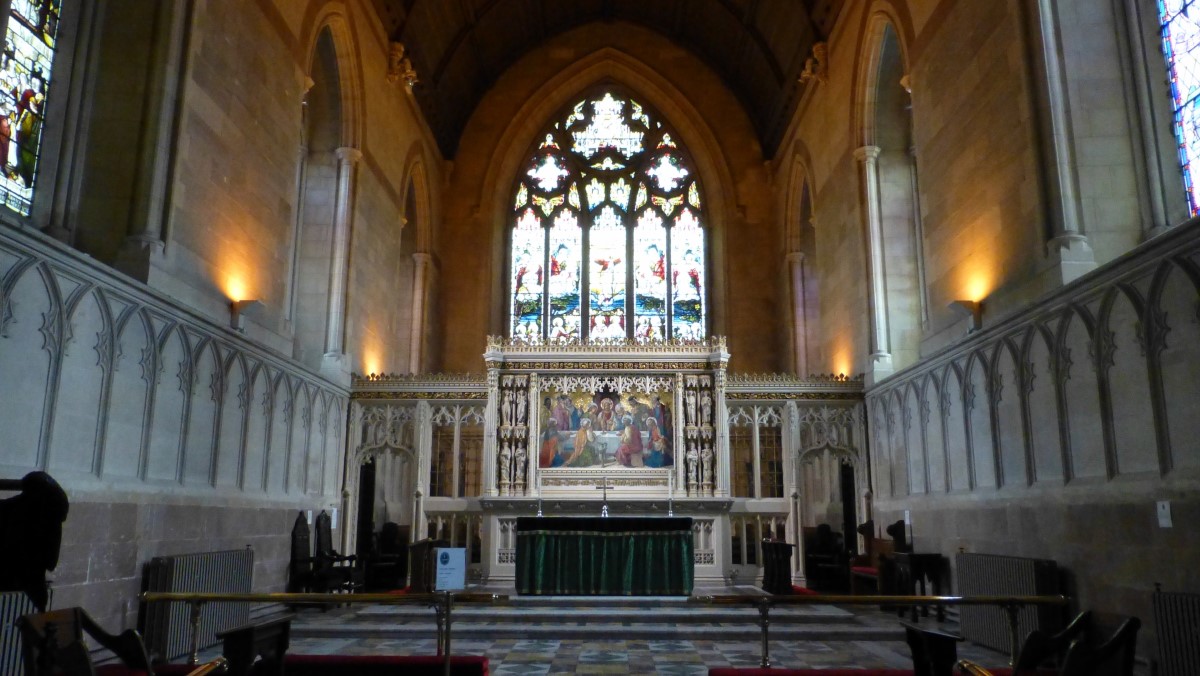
x=1181 y=45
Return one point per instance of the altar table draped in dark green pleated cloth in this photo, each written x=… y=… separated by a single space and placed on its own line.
x=604 y=557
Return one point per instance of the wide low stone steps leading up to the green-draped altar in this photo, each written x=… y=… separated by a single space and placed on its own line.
x=597 y=619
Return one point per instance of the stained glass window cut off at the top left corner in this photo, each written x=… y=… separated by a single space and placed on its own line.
x=31 y=39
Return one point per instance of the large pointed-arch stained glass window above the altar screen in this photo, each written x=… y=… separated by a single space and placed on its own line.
x=608 y=232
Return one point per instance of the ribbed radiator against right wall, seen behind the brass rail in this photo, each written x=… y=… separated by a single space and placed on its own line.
x=988 y=575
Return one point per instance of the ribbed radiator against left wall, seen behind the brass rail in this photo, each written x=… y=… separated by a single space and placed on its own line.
x=167 y=627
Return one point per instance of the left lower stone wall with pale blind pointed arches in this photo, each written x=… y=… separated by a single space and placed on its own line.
x=170 y=434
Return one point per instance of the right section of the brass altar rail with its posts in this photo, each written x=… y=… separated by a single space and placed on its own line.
x=1010 y=605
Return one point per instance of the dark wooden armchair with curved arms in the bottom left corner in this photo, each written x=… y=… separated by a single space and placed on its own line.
x=53 y=645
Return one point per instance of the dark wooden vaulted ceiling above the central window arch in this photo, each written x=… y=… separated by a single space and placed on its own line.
x=460 y=47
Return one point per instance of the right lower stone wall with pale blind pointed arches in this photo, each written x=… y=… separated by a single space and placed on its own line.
x=1055 y=434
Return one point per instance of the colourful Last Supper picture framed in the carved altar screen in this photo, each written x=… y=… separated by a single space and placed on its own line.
x=605 y=429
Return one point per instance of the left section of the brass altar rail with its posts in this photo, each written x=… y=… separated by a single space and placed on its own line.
x=441 y=602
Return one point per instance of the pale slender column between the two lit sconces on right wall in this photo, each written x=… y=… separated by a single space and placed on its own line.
x=877 y=273
